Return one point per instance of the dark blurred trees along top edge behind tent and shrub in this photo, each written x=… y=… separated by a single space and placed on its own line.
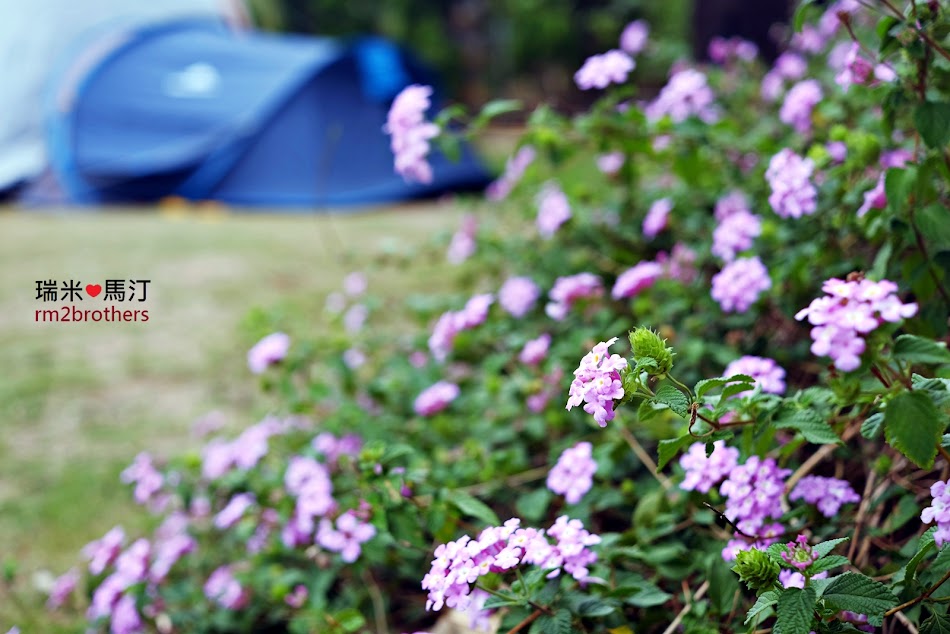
x=525 y=49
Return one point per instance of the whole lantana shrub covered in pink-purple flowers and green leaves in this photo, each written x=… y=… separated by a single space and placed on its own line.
x=693 y=378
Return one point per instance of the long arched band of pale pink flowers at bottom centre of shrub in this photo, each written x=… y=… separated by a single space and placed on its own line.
x=498 y=549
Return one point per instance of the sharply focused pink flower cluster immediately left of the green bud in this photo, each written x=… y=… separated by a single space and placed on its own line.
x=597 y=383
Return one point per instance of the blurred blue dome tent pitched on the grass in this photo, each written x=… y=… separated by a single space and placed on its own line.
x=192 y=109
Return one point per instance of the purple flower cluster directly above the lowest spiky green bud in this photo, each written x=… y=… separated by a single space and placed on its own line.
x=753 y=494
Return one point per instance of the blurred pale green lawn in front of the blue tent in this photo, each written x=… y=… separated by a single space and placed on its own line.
x=79 y=400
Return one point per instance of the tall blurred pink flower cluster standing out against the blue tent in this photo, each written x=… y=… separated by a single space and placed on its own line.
x=411 y=133
